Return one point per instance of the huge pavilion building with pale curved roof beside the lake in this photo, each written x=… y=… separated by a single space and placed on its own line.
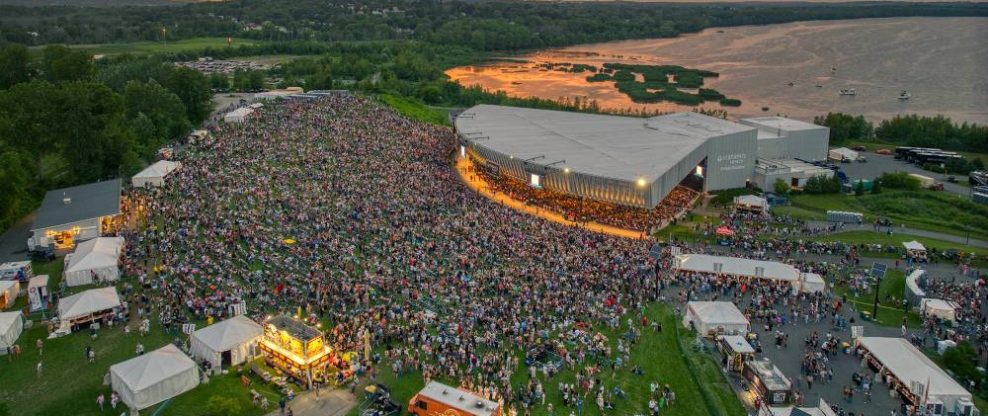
x=633 y=161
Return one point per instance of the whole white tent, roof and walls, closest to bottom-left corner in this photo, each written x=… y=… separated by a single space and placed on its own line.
x=154 y=377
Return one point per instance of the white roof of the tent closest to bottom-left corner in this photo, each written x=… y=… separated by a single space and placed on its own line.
x=146 y=370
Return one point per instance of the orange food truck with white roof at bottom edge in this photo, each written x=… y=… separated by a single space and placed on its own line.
x=438 y=399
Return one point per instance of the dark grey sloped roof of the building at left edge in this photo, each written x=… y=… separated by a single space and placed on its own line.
x=87 y=201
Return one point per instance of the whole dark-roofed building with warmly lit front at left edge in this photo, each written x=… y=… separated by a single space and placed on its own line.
x=70 y=215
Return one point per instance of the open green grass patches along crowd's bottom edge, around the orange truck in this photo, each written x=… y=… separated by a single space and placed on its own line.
x=695 y=377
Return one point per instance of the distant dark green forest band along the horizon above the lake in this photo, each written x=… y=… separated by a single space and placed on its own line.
x=480 y=25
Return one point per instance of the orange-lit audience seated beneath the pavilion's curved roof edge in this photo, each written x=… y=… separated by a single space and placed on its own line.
x=584 y=210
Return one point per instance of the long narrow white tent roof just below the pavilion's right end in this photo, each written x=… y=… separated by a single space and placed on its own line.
x=734 y=266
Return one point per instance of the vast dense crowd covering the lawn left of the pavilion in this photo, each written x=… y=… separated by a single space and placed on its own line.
x=343 y=209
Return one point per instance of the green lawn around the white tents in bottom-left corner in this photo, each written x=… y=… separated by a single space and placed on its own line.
x=69 y=384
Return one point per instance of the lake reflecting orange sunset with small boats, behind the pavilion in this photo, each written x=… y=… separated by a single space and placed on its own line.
x=941 y=62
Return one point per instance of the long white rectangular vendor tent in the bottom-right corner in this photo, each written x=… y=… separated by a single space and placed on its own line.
x=917 y=378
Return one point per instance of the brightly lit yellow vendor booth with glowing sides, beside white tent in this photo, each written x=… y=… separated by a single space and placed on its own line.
x=295 y=348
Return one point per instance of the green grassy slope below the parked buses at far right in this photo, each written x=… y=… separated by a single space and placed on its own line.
x=926 y=210
